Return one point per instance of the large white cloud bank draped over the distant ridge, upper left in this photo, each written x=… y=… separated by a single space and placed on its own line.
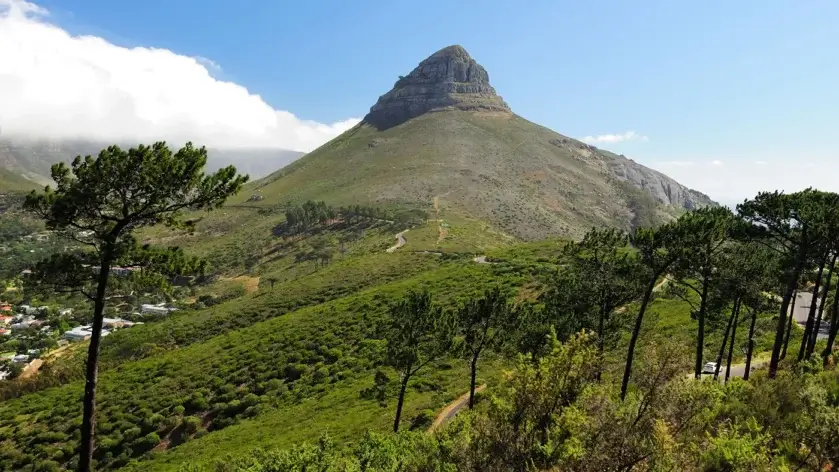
x=55 y=85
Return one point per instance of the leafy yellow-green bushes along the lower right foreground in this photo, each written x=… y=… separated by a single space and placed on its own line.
x=554 y=415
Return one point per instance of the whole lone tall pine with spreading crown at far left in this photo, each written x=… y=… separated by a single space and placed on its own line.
x=100 y=203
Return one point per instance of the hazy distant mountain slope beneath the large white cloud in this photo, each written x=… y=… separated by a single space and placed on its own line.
x=35 y=156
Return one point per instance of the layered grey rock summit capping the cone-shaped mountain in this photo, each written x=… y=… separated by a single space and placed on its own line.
x=448 y=79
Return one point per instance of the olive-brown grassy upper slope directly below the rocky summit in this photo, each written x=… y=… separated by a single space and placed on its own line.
x=521 y=178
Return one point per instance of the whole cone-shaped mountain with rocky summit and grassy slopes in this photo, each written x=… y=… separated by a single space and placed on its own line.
x=443 y=135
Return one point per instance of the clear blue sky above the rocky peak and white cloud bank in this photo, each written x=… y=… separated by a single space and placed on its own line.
x=716 y=87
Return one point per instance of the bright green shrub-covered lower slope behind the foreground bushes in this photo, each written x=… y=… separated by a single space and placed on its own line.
x=277 y=366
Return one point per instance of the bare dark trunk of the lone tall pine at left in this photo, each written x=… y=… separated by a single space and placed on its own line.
x=92 y=366
